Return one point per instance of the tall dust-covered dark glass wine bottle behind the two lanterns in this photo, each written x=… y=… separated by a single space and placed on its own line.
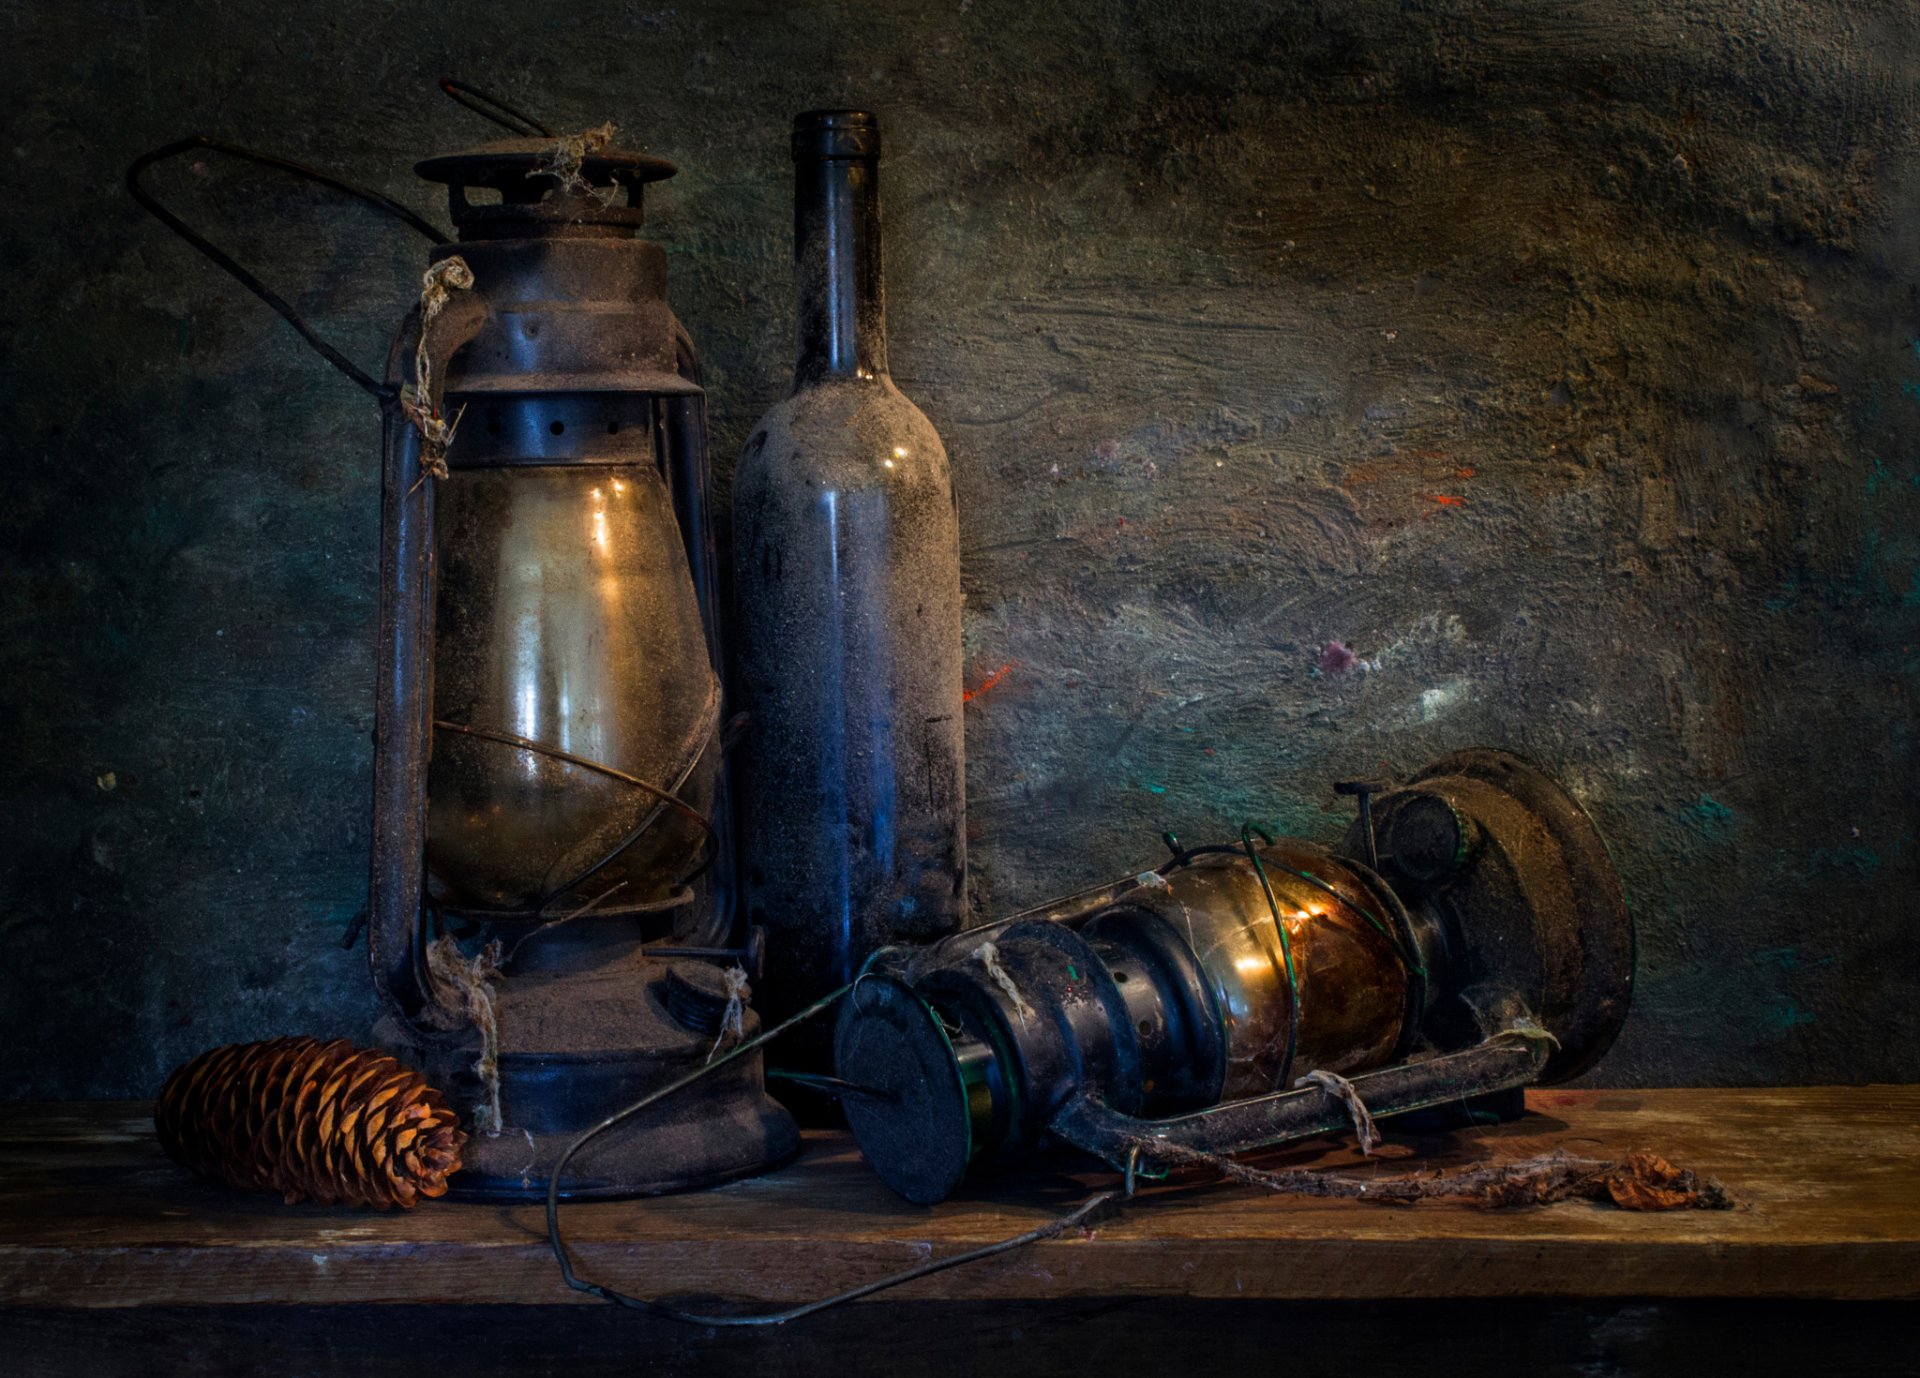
x=848 y=588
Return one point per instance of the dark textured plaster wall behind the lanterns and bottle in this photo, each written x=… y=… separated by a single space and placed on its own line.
x=1558 y=364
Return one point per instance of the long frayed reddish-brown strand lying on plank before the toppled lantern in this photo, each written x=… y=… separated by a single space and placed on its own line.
x=1643 y=1181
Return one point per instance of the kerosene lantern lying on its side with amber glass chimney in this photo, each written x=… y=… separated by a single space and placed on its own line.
x=1468 y=939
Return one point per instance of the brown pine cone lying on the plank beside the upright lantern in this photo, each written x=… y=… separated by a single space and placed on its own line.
x=310 y=1120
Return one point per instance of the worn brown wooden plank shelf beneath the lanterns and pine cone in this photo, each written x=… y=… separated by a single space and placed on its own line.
x=93 y=1216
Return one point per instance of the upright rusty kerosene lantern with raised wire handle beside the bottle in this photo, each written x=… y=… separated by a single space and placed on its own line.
x=552 y=874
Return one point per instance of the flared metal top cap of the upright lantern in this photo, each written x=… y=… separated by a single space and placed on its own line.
x=546 y=187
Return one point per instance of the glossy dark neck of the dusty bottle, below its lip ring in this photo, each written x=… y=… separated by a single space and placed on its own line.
x=836 y=268
